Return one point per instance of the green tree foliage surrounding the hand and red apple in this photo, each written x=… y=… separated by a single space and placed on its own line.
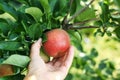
x=24 y=21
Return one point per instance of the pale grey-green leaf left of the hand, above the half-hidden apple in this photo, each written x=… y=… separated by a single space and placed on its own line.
x=17 y=60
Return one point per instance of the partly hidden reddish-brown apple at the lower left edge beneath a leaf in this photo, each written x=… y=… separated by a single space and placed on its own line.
x=5 y=70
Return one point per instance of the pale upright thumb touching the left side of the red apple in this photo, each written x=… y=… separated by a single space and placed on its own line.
x=35 y=49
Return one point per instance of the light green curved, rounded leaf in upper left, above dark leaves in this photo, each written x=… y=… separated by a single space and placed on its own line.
x=35 y=12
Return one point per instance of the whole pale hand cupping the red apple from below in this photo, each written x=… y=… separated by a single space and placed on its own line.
x=57 y=69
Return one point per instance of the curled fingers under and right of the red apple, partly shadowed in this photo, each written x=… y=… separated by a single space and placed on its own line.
x=65 y=61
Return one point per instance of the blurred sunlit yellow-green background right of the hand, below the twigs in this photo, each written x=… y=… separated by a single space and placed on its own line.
x=99 y=59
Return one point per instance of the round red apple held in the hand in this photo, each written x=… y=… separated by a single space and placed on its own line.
x=58 y=42
